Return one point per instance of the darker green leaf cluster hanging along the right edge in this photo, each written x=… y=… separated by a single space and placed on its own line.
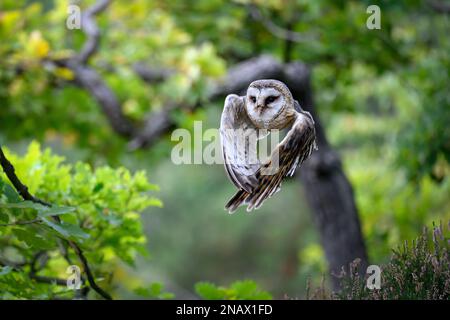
x=424 y=147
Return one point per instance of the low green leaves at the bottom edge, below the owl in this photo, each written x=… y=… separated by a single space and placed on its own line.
x=239 y=290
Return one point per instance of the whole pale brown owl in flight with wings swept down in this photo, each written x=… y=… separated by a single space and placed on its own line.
x=268 y=105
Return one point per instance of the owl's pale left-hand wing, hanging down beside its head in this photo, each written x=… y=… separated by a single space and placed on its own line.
x=238 y=137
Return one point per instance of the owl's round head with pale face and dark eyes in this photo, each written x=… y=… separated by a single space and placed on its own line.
x=266 y=100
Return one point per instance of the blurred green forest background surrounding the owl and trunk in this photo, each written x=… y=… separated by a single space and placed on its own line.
x=106 y=98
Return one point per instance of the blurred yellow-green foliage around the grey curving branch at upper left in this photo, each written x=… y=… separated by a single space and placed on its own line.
x=43 y=98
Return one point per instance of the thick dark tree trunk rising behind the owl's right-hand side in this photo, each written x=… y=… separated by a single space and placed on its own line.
x=327 y=189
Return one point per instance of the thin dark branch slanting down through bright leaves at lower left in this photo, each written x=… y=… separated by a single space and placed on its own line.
x=9 y=170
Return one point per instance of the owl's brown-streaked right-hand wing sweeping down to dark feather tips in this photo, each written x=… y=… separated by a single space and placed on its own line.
x=295 y=148
